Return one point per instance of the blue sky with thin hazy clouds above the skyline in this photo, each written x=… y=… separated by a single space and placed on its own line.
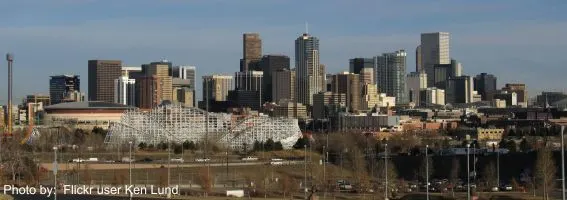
x=517 y=40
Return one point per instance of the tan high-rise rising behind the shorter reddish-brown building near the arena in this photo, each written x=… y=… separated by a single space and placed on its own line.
x=161 y=70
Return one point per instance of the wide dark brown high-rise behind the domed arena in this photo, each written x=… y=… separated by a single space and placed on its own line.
x=102 y=74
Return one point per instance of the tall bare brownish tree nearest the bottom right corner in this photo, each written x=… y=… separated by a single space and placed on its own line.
x=545 y=171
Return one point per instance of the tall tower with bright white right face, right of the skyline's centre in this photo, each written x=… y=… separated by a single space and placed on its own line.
x=434 y=50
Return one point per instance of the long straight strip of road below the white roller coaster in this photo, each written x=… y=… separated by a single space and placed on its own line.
x=105 y=166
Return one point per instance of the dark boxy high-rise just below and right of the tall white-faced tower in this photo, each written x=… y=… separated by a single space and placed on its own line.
x=459 y=90
